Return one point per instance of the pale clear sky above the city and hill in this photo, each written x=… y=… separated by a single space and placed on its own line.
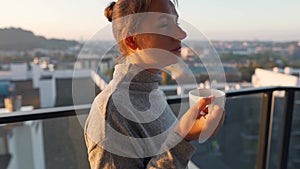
x=220 y=20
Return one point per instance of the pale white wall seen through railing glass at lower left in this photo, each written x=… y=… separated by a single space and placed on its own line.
x=26 y=146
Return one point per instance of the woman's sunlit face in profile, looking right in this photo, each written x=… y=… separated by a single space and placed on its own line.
x=159 y=42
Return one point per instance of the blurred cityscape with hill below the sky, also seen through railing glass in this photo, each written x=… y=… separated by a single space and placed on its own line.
x=37 y=73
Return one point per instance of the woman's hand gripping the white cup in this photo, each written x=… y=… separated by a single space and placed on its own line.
x=197 y=124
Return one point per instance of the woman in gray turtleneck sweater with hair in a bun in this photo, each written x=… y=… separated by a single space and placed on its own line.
x=130 y=124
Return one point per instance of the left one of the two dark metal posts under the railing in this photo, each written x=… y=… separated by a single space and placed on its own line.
x=265 y=131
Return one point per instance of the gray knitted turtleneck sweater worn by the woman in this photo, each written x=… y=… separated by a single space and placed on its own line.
x=130 y=125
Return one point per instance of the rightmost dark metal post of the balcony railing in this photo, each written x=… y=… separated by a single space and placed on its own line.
x=286 y=129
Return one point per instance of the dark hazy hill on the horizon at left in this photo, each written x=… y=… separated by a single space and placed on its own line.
x=20 y=39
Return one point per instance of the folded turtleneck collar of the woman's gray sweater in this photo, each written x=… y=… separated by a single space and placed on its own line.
x=136 y=77
